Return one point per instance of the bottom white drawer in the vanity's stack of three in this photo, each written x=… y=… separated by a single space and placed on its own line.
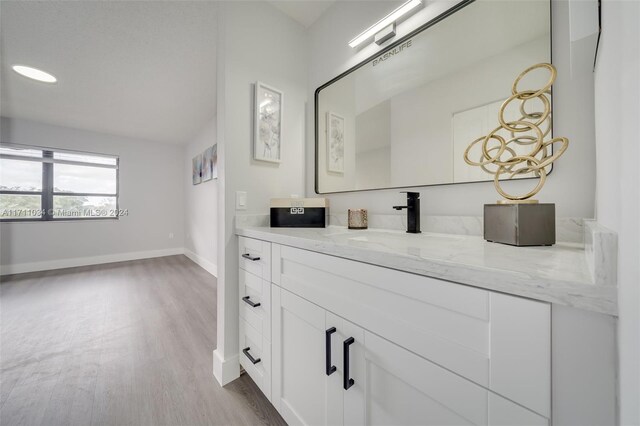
x=255 y=357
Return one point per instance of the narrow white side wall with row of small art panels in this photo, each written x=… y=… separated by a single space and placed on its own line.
x=201 y=205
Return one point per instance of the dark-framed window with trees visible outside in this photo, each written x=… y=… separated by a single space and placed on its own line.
x=42 y=184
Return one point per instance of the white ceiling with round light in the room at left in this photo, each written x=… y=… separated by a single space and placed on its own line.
x=140 y=69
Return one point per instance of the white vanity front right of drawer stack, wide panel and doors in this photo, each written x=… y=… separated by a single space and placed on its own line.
x=423 y=352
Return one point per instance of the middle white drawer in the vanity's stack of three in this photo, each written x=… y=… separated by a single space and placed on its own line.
x=255 y=302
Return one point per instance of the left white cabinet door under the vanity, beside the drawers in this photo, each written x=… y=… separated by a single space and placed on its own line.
x=302 y=391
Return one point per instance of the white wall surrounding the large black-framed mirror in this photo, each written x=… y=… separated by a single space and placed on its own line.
x=570 y=186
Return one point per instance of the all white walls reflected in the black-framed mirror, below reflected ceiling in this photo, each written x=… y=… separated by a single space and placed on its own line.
x=418 y=124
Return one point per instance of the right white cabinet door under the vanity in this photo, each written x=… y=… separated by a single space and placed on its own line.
x=401 y=388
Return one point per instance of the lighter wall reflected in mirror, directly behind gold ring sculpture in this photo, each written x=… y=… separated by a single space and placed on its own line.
x=422 y=149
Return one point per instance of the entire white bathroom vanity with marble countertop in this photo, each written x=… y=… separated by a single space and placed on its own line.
x=384 y=327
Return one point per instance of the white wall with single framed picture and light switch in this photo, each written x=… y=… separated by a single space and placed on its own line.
x=255 y=42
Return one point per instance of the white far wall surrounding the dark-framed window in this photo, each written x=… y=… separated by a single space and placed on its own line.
x=151 y=188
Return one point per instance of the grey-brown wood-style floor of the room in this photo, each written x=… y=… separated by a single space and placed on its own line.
x=126 y=343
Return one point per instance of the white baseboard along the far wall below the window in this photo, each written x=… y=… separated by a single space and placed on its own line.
x=19 y=268
